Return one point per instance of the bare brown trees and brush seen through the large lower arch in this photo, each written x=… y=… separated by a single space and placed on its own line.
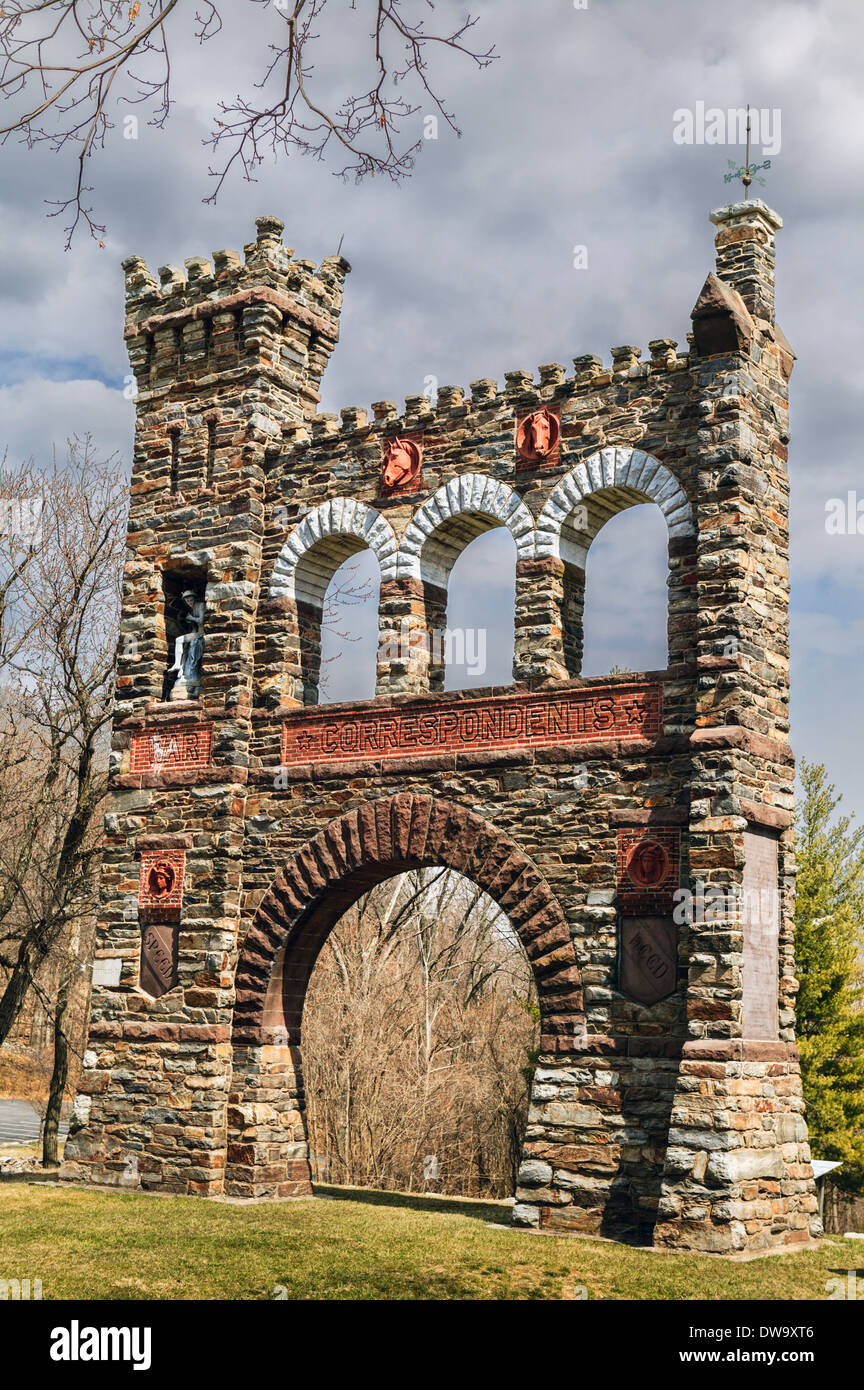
x=419 y=1042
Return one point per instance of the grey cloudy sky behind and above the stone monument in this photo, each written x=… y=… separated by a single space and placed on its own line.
x=467 y=269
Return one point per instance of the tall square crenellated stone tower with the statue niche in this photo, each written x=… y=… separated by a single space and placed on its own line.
x=231 y=345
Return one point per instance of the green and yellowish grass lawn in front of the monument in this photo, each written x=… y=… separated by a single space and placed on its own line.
x=362 y=1246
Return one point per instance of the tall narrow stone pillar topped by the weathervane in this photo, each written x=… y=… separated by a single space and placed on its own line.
x=738 y=1174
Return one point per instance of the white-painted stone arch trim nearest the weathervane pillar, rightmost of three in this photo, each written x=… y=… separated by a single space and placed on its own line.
x=629 y=477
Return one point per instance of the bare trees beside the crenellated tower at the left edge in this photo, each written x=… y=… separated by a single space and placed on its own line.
x=60 y=579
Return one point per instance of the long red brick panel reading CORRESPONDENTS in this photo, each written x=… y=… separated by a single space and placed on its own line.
x=526 y=721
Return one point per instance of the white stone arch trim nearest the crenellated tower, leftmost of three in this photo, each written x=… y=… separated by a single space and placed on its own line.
x=306 y=566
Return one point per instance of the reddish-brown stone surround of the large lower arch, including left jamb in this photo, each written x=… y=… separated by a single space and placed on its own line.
x=267 y=1143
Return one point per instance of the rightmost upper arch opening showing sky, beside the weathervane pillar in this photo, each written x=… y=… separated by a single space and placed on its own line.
x=624 y=611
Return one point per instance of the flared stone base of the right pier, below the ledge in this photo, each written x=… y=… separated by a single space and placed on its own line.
x=704 y=1152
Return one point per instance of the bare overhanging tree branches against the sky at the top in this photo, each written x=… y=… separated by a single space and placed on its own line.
x=69 y=66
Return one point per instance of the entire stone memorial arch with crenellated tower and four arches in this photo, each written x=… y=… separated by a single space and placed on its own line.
x=635 y=829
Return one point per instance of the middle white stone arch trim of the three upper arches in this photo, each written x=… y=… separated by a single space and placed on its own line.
x=459 y=512
